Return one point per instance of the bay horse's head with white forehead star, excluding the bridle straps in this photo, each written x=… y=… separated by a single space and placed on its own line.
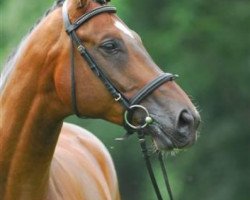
x=120 y=54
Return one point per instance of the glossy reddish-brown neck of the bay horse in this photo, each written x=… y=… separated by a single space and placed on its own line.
x=29 y=128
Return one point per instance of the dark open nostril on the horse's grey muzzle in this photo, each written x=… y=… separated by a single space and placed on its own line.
x=185 y=121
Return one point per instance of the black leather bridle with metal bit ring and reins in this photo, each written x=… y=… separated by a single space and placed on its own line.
x=130 y=105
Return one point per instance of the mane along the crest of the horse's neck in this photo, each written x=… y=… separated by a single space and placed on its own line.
x=11 y=60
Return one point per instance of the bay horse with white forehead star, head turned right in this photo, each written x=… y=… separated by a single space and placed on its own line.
x=43 y=158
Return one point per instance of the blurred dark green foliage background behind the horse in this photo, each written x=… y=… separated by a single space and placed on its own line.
x=208 y=44
